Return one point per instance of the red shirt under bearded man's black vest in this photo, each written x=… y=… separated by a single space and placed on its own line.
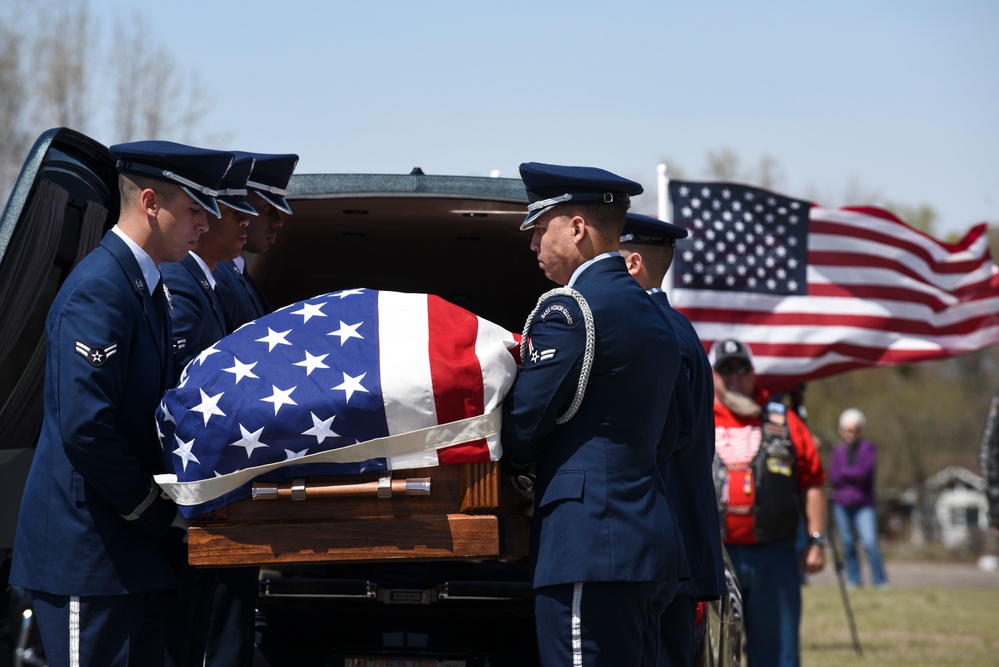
x=737 y=439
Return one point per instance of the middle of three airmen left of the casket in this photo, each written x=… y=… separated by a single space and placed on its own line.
x=197 y=630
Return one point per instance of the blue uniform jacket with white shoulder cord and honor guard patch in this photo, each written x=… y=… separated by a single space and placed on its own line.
x=601 y=511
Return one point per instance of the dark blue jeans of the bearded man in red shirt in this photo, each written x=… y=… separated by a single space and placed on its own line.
x=770 y=581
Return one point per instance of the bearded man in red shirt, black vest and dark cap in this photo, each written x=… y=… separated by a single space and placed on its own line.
x=768 y=471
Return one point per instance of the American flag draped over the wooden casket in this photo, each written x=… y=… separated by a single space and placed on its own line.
x=347 y=382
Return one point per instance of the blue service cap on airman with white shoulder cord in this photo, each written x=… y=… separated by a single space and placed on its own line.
x=549 y=185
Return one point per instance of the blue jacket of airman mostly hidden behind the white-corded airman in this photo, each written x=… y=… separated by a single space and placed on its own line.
x=688 y=473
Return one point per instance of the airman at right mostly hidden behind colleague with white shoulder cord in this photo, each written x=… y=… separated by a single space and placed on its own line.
x=647 y=245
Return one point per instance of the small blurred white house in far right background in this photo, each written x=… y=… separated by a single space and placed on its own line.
x=959 y=509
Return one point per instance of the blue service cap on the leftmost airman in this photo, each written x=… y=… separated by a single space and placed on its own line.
x=198 y=171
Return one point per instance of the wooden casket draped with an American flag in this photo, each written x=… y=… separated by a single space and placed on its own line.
x=339 y=400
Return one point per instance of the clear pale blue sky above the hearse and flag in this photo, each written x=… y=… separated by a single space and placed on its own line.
x=898 y=98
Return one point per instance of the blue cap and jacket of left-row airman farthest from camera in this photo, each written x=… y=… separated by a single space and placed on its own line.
x=242 y=299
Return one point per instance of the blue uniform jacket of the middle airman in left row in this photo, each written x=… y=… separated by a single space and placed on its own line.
x=198 y=320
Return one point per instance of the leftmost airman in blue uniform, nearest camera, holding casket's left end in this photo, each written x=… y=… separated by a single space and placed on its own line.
x=93 y=526
